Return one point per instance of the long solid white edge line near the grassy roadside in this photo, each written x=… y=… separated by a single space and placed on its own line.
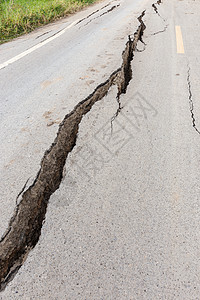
x=19 y=56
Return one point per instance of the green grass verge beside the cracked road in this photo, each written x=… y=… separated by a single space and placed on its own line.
x=22 y=16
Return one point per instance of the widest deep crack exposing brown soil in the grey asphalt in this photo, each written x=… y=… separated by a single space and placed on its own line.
x=26 y=223
